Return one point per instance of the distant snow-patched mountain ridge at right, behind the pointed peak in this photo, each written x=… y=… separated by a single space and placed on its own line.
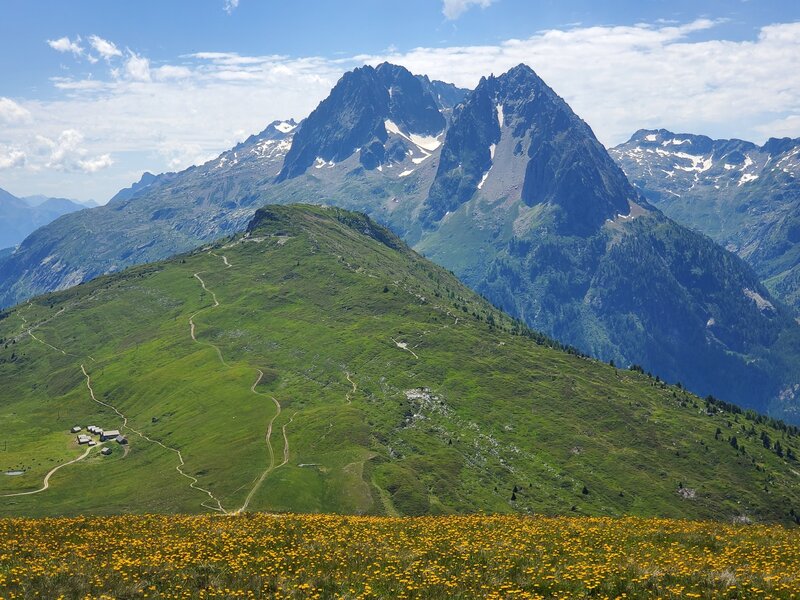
x=746 y=197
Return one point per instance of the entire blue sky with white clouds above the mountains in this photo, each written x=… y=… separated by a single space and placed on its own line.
x=94 y=93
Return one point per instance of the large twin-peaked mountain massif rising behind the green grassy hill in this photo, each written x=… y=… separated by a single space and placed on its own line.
x=505 y=186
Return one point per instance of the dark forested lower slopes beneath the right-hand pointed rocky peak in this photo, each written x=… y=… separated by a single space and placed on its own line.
x=639 y=290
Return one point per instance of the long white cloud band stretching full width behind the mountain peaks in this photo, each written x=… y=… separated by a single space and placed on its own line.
x=163 y=116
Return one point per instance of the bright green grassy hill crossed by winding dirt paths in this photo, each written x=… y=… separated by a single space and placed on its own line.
x=334 y=370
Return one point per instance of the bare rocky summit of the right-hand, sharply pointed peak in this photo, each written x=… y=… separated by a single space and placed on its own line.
x=557 y=155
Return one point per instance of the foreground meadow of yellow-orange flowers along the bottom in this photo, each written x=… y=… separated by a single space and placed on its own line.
x=327 y=556
